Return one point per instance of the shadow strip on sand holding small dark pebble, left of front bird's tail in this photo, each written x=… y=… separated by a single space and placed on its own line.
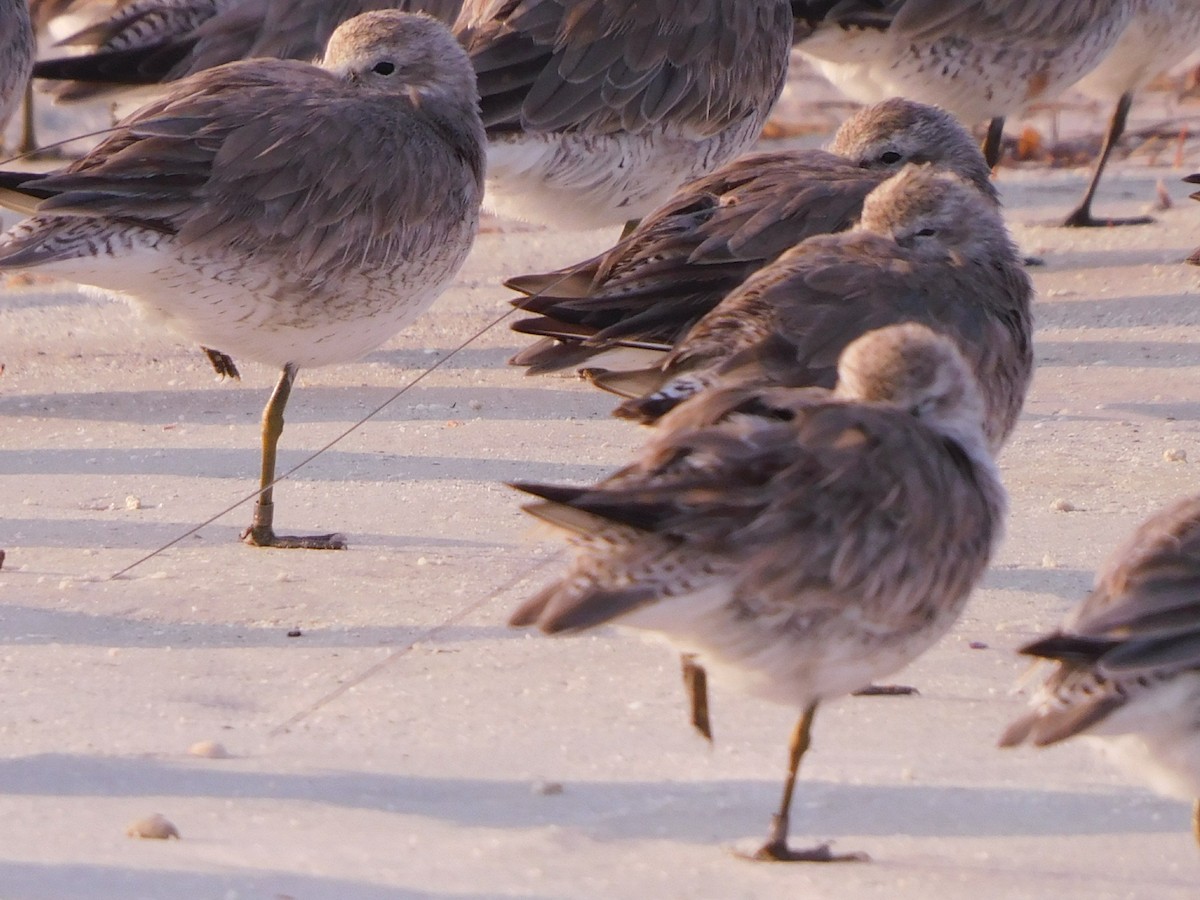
x=26 y=627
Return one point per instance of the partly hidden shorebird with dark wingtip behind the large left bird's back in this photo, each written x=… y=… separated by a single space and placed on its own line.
x=148 y=43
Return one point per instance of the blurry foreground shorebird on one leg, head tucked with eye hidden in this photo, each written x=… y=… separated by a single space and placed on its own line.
x=803 y=543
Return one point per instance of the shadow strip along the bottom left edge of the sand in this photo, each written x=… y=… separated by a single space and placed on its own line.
x=83 y=881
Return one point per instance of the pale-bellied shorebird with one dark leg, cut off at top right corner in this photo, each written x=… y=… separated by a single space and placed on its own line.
x=1161 y=34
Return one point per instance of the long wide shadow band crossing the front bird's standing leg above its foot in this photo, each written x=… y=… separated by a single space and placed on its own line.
x=620 y=811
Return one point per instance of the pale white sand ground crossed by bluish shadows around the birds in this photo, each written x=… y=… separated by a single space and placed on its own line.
x=409 y=745
